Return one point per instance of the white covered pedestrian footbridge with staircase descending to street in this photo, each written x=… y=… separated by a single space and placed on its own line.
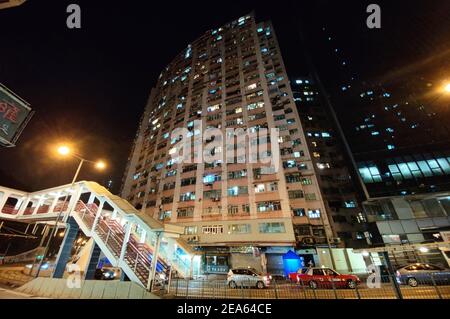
x=127 y=237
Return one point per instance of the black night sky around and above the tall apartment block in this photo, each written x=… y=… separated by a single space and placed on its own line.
x=91 y=85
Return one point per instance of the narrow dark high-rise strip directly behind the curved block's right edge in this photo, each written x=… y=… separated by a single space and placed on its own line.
x=331 y=164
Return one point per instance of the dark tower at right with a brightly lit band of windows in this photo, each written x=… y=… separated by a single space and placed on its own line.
x=398 y=127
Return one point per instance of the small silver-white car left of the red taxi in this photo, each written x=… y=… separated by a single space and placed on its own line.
x=247 y=277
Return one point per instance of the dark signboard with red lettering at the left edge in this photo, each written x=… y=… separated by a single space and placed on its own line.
x=14 y=116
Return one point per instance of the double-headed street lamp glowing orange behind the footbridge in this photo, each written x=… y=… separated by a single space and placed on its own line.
x=65 y=151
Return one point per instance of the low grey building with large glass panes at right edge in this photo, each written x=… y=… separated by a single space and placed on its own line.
x=411 y=219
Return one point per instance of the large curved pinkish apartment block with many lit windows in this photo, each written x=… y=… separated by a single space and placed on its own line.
x=239 y=213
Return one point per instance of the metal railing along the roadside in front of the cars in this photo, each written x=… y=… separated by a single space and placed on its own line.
x=385 y=288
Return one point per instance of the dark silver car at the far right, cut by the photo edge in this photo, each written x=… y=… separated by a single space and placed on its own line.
x=422 y=273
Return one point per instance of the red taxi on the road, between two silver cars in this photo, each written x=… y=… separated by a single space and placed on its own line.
x=316 y=277
